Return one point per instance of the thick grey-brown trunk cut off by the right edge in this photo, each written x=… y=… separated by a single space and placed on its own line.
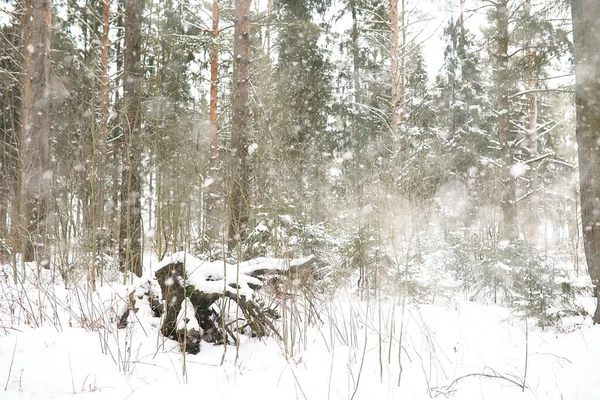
x=586 y=35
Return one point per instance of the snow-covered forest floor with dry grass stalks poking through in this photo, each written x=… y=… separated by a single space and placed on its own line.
x=70 y=348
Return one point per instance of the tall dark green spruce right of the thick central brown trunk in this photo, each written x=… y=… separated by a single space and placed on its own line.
x=302 y=94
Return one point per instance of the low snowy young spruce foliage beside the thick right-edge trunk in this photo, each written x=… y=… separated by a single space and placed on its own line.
x=520 y=276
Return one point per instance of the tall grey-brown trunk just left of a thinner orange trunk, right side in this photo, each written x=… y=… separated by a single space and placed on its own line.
x=509 y=230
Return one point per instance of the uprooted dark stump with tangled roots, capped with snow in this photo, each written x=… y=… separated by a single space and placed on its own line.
x=191 y=289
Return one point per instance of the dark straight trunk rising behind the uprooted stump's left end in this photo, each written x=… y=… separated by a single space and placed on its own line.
x=130 y=229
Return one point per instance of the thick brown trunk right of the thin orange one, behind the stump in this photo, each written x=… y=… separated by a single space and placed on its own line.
x=238 y=198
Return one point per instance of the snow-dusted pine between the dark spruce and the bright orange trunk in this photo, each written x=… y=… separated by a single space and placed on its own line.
x=361 y=99
